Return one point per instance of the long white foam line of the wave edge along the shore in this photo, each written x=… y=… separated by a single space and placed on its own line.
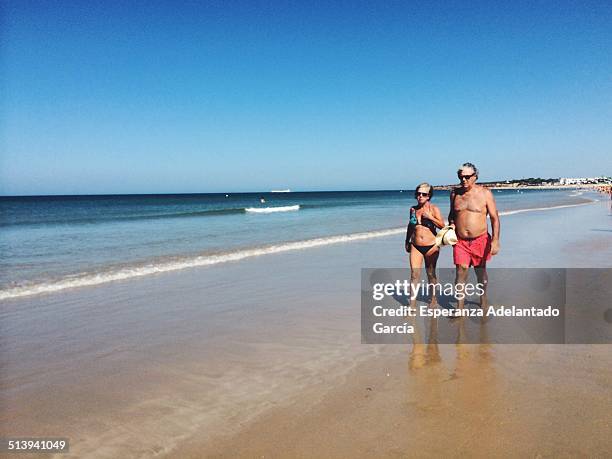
x=89 y=279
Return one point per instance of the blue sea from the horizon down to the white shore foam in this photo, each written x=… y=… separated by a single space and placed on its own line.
x=54 y=243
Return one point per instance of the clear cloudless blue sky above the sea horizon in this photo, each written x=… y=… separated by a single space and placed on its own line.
x=154 y=97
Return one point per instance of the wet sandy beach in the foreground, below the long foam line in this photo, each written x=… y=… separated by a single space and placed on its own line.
x=262 y=358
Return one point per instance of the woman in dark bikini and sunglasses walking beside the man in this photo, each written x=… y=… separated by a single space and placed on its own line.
x=425 y=219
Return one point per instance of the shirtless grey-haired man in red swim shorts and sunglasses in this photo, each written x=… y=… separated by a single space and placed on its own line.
x=469 y=207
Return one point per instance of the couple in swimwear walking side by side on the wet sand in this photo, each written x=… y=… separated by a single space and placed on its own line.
x=470 y=204
